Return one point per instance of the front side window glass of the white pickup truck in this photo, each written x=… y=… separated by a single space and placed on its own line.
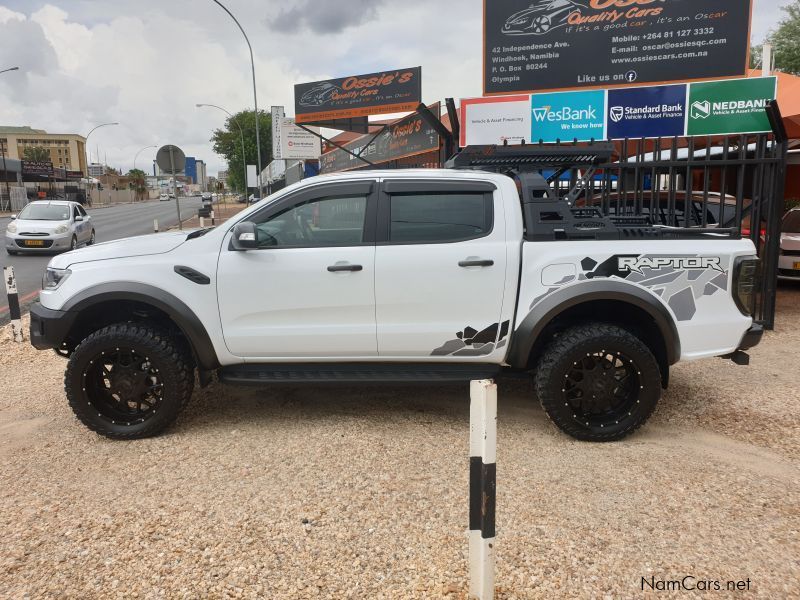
x=330 y=221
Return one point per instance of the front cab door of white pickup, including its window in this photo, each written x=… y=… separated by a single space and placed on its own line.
x=308 y=291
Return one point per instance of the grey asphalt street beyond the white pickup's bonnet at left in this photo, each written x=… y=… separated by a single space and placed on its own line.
x=112 y=223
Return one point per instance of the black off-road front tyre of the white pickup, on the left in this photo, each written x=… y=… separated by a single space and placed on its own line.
x=175 y=372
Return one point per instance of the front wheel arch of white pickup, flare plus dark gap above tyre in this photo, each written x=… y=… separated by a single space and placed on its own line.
x=96 y=305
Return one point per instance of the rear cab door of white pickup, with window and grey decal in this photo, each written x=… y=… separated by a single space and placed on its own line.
x=440 y=271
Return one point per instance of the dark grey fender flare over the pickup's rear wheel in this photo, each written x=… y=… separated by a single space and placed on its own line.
x=565 y=298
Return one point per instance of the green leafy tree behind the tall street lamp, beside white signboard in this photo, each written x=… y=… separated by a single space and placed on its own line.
x=228 y=143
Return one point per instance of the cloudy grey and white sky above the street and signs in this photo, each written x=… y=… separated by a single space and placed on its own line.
x=147 y=63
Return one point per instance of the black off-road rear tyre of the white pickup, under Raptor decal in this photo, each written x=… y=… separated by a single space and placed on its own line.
x=599 y=342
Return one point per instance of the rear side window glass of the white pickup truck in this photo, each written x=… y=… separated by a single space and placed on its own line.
x=439 y=217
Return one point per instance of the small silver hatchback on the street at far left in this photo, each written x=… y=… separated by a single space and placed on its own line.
x=49 y=226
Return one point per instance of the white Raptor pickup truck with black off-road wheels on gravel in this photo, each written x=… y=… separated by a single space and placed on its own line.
x=391 y=276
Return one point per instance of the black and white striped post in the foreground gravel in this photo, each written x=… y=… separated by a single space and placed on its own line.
x=482 y=486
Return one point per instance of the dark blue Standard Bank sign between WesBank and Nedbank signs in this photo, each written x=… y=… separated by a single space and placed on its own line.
x=658 y=111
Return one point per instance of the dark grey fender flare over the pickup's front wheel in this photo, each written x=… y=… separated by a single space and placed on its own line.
x=183 y=316
